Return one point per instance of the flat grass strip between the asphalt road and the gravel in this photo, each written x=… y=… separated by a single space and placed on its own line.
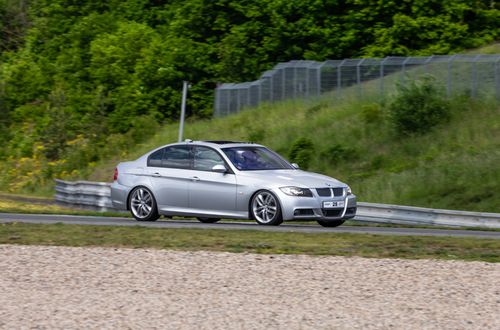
x=362 y=245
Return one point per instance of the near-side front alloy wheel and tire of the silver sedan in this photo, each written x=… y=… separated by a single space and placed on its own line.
x=265 y=208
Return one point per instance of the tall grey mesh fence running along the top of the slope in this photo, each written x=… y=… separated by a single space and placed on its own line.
x=475 y=75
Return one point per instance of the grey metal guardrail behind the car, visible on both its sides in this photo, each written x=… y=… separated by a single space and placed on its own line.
x=97 y=195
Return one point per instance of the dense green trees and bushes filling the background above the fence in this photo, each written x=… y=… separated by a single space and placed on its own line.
x=80 y=79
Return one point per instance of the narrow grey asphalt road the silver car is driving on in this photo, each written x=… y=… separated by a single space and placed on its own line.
x=228 y=225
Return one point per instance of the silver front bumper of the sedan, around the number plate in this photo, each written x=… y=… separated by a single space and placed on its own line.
x=311 y=208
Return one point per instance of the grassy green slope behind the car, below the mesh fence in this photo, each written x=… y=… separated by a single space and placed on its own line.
x=452 y=165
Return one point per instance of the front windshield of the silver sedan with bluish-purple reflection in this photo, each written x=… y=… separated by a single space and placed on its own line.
x=255 y=159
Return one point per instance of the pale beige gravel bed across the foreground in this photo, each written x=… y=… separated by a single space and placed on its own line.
x=46 y=287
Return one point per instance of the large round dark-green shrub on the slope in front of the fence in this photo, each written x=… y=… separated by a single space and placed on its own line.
x=418 y=106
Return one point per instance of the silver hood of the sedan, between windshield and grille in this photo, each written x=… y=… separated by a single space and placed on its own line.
x=294 y=178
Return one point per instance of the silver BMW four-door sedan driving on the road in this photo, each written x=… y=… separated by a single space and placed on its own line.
x=211 y=180
